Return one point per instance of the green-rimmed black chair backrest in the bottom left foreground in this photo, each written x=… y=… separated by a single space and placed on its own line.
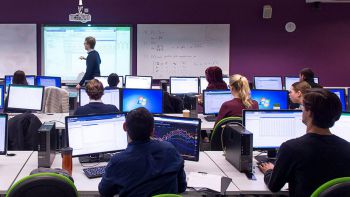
x=43 y=184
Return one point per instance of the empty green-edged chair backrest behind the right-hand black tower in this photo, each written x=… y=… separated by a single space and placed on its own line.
x=215 y=140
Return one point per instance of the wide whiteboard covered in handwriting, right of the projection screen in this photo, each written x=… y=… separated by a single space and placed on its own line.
x=165 y=50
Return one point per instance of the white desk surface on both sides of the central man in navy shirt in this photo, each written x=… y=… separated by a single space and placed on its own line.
x=89 y=187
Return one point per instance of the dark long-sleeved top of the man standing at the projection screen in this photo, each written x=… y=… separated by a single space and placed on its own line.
x=93 y=62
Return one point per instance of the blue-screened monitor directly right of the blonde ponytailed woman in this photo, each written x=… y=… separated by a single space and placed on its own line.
x=270 y=99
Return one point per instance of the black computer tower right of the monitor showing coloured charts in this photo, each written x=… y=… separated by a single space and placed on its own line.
x=239 y=147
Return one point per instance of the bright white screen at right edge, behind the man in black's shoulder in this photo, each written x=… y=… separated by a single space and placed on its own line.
x=341 y=127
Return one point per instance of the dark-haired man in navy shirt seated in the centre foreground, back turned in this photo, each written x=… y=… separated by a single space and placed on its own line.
x=147 y=167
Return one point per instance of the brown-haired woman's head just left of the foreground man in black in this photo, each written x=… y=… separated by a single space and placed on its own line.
x=297 y=90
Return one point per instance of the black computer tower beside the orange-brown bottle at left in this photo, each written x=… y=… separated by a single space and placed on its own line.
x=46 y=144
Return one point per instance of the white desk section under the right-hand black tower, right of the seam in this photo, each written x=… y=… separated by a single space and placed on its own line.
x=240 y=180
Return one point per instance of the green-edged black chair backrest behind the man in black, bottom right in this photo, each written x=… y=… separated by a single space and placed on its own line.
x=335 y=187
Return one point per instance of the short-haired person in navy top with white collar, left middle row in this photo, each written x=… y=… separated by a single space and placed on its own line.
x=94 y=89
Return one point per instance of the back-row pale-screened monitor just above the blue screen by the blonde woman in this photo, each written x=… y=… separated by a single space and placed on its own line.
x=268 y=83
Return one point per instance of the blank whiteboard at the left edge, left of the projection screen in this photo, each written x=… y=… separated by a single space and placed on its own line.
x=18 y=49
